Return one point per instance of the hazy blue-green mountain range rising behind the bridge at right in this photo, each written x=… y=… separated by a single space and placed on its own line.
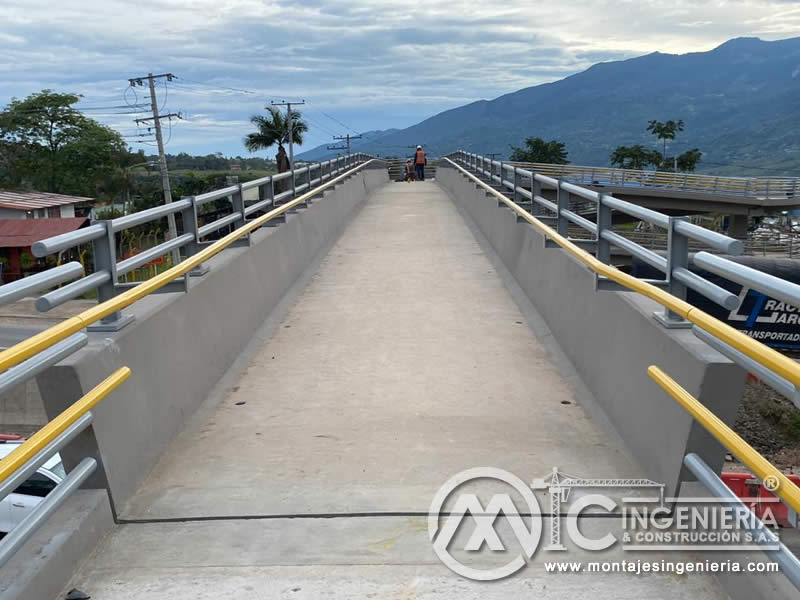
x=740 y=103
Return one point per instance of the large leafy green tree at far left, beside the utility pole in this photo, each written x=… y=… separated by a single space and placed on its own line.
x=47 y=144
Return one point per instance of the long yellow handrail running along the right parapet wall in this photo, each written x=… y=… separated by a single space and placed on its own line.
x=773 y=360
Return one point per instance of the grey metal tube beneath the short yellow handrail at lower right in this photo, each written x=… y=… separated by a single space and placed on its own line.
x=787 y=561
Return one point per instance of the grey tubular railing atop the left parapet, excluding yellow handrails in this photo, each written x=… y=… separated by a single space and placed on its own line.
x=102 y=234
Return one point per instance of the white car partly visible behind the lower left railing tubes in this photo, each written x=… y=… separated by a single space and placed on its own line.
x=19 y=503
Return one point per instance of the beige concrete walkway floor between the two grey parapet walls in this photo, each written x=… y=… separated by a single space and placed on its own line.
x=404 y=361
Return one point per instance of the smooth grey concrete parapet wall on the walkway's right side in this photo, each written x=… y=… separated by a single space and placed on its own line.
x=611 y=338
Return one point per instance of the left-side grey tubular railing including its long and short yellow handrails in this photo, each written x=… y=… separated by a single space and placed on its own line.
x=33 y=355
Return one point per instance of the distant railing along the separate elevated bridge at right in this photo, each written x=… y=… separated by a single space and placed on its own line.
x=766 y=188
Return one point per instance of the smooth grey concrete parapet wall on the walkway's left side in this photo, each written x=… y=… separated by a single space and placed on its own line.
x=180 y=345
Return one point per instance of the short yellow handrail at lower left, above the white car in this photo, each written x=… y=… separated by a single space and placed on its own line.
x=19 y=456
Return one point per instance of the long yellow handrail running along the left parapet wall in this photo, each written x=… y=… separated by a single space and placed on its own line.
x=36 y=343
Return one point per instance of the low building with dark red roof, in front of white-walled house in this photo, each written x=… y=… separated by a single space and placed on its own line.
x=18 y=234
